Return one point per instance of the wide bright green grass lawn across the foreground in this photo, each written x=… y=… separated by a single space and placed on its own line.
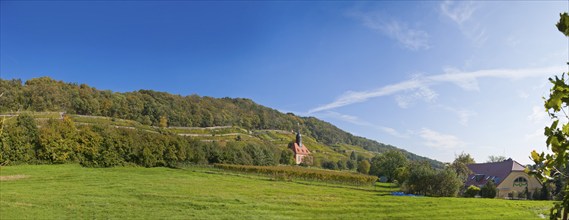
x=73 y=192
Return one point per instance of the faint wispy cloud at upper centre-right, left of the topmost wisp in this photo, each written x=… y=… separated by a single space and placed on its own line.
x=410 y=38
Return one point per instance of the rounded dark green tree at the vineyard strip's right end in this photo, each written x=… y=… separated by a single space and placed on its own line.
x=387 y=163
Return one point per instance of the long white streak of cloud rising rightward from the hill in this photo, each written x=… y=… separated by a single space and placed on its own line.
x=465 y=80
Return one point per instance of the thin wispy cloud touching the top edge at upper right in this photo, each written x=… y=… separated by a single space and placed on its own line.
x=461 y=13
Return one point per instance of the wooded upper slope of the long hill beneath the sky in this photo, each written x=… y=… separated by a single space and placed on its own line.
x=152 y=108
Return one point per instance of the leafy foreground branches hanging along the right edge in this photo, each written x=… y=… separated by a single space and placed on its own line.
x=550 y=165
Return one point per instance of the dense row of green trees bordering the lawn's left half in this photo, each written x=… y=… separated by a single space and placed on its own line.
x=61 y=141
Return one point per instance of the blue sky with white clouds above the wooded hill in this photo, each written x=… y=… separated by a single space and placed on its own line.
x=436 y=78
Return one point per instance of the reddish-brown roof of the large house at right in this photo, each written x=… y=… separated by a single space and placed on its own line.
x=483 y=172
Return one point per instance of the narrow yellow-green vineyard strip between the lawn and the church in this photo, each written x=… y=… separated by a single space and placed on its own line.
x=301 y=173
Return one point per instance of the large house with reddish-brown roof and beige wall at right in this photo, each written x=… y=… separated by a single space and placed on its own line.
x=508 y=175
